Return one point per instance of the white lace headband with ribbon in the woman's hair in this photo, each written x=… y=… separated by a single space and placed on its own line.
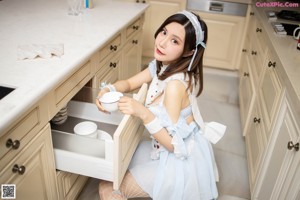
x=198 y=32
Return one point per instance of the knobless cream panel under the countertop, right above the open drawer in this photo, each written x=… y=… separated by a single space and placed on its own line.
x=65 y=91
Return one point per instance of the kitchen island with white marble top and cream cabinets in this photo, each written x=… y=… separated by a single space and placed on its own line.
x=98 y=45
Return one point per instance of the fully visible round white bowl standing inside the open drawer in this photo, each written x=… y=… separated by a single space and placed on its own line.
x=87 y=128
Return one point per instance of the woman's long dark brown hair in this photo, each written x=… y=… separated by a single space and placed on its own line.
x=181 y=65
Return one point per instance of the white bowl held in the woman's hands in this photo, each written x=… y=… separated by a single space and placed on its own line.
x=110 y=100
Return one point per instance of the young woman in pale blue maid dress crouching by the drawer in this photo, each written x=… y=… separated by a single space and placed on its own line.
x=179 y=163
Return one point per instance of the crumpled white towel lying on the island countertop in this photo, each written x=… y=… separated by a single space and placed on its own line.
x=32 y=51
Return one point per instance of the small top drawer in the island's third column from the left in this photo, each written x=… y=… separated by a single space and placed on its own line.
x=111 y=48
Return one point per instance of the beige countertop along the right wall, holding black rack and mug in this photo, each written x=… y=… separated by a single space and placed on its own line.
x=285 y=48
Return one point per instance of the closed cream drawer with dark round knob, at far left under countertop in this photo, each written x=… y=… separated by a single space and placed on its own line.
x=22 y=132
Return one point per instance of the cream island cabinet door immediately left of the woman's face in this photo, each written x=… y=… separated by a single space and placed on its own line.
x=132 y=57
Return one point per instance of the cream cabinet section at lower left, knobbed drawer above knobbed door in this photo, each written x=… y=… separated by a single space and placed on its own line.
x=27 y=158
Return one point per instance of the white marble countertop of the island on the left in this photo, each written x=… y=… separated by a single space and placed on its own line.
x=44 y=22
